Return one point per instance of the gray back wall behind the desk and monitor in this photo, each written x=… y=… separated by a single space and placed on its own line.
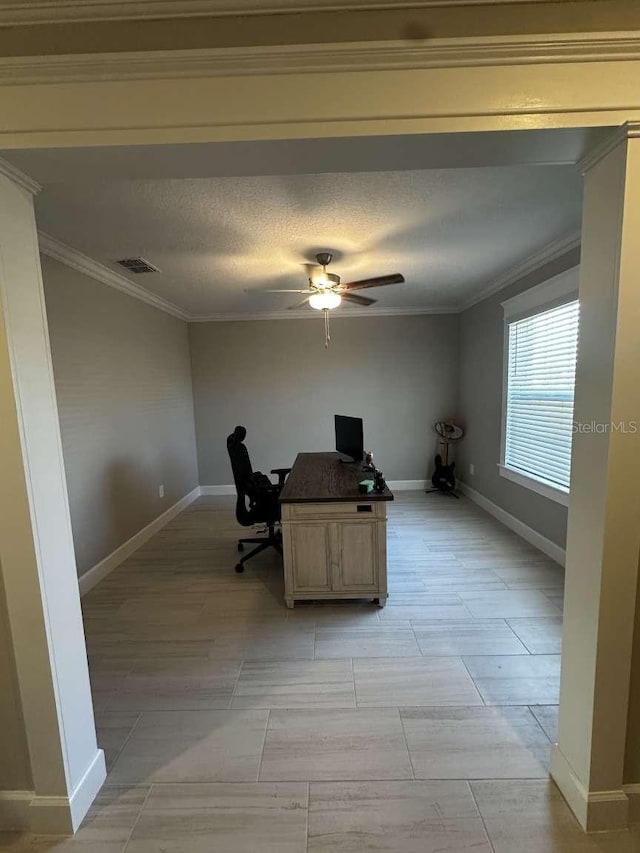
x=275 y=377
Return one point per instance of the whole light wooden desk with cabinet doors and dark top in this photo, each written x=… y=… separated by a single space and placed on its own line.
x=334 y=538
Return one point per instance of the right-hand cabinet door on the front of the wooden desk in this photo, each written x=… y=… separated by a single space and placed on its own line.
x=355 y=564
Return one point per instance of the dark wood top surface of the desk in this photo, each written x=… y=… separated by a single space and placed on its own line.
x=322 y=477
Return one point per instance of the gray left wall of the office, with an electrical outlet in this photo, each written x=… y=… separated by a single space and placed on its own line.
x=123 y=382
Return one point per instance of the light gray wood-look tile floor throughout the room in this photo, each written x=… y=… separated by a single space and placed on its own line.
x=233 y=725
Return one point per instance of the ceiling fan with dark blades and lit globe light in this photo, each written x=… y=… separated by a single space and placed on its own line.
x=326 y=291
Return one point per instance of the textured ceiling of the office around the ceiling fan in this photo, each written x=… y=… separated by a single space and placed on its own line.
x=448 y=231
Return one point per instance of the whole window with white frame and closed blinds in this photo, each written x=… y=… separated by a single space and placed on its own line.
x=541 y=338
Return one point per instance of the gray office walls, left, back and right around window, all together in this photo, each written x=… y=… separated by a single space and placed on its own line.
x=124 y=373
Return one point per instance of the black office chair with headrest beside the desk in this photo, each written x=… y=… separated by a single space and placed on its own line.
x=257 y=501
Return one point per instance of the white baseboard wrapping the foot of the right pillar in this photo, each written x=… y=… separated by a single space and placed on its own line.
x=596 y=811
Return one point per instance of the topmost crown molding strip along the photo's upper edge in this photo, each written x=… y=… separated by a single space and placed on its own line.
x=69 y=11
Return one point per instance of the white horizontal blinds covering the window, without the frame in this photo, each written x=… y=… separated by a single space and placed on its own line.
x=541 y=373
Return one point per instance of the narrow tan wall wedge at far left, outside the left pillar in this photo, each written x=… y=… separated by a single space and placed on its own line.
x=15 y=769
